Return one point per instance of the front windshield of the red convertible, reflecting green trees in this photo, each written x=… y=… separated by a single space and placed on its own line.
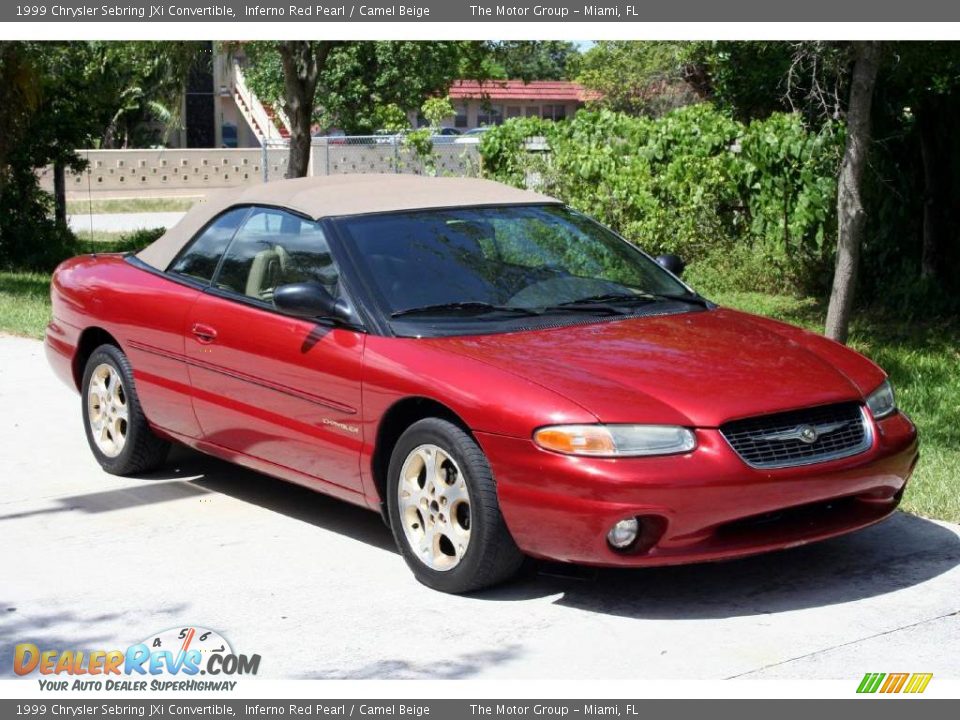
x=503 y=264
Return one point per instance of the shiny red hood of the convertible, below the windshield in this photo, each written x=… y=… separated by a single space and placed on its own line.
x=696 y=368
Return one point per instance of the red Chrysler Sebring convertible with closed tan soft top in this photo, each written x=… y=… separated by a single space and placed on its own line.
x=496 y=374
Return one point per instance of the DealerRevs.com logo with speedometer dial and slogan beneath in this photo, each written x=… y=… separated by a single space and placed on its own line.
x=168 y=660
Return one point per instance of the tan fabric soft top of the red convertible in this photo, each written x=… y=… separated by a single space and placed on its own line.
x=334 y=195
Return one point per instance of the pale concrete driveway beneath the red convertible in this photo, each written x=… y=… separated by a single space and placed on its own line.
x=316 y=587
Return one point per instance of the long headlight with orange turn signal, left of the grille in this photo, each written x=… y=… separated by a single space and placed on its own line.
x=615 y=440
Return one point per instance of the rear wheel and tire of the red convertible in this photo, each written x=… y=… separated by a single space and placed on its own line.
x=112 y=413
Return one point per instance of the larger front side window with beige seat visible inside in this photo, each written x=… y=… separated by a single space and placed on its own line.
x=276 y=248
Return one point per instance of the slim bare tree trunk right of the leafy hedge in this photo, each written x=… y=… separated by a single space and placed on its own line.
x=851 y=217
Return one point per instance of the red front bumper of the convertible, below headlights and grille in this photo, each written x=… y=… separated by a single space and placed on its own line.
x=706 y=505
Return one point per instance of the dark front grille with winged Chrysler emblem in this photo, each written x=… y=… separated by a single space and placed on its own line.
x=773 y=441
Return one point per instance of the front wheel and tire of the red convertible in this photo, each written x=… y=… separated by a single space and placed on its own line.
x=450 y=532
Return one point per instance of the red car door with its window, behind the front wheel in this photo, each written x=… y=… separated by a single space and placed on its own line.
x=280 y=389
